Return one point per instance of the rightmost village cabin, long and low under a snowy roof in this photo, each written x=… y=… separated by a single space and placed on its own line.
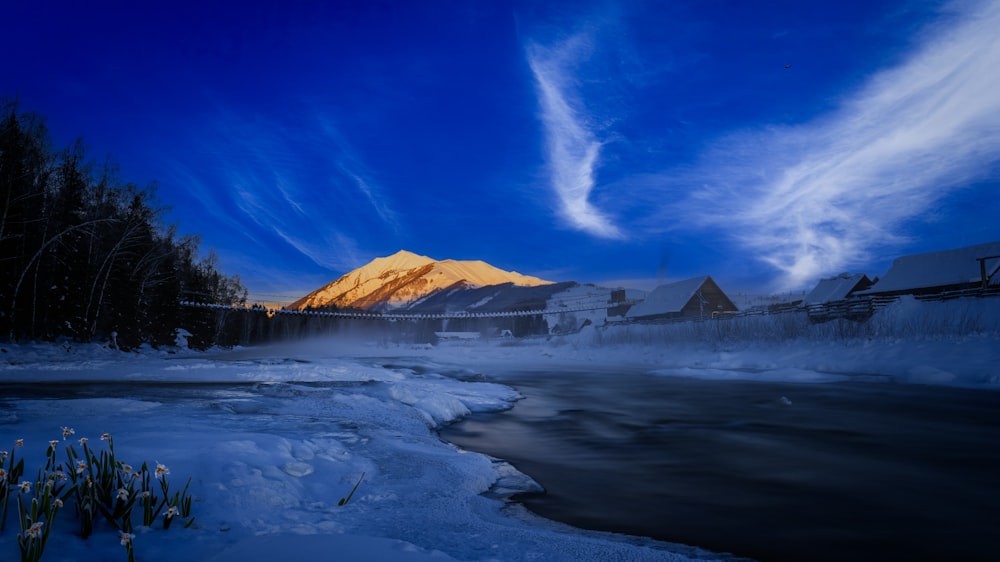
x=961 y=269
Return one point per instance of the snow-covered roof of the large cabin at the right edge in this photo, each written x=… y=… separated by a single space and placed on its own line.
x=938 y=269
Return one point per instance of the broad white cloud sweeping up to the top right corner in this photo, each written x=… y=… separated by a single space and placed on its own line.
x=820 y=198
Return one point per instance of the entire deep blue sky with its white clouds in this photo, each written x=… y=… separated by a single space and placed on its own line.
x=625 y=143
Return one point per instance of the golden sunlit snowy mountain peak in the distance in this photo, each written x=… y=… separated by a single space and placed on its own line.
x=404 y=277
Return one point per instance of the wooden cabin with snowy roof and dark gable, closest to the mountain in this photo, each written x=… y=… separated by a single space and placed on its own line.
x=699 y=298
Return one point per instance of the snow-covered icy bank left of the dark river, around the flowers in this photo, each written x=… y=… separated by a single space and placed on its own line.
x=272 y=440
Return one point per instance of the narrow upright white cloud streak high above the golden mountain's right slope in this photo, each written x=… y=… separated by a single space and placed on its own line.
x=572 y=150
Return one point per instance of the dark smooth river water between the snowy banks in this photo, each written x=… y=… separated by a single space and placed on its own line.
x=771 y=471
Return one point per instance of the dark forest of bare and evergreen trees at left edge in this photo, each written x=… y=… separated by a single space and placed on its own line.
x=85 y=256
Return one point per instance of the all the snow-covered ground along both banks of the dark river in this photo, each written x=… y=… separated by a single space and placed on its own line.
x=273 y=437
